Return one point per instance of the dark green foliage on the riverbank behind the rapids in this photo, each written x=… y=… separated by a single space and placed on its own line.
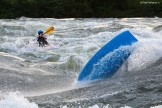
x=80 y=8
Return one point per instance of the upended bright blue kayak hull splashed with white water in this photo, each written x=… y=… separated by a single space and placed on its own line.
x=109 y=58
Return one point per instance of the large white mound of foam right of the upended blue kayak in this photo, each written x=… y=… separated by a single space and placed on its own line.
x=146 y=52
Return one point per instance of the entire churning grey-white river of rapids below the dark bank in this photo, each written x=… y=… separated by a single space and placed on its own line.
x=46 y=77
